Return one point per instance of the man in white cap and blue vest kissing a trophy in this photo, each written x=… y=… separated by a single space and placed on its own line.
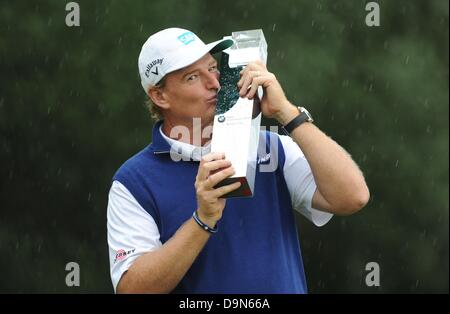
x=169 y=230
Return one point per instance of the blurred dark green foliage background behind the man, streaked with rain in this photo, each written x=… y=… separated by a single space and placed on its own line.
x=71 y=111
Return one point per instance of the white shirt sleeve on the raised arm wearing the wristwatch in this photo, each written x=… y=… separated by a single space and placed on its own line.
x=300 y=182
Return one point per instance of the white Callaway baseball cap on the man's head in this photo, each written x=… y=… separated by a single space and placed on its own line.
x=172 y=49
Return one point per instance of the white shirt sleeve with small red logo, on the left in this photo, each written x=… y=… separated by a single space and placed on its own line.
x=132 y=231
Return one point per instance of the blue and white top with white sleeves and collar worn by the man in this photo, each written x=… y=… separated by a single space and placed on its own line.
x=256 y=249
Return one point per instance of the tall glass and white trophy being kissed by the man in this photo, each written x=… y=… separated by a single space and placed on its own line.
x=237 y=120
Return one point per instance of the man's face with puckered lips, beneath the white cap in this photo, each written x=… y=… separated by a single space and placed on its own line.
x=192 y=91
